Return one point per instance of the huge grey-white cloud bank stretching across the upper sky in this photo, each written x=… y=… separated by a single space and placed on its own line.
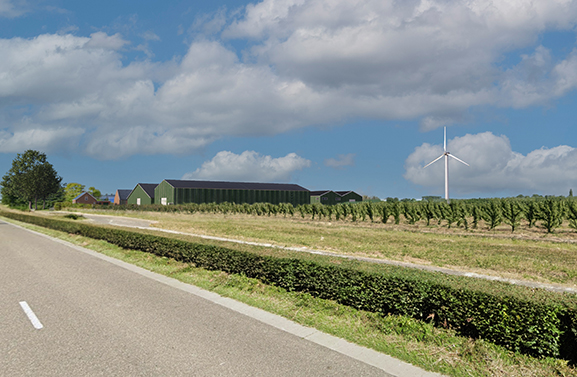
x=310 y=62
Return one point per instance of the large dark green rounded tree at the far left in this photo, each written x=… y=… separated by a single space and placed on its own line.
x=30 y=179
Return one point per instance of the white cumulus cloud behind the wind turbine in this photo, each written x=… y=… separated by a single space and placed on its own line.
x=494 y=167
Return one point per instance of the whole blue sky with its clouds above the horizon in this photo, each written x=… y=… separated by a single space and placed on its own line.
x=328 y=94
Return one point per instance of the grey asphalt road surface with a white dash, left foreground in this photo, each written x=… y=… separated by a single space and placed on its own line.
x=100 y=319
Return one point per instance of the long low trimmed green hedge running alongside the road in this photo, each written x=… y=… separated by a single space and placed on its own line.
x=529 y=321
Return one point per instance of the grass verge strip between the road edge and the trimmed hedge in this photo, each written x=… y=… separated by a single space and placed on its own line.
x=412 y=341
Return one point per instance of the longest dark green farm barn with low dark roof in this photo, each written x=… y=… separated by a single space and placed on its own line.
x=171 y=191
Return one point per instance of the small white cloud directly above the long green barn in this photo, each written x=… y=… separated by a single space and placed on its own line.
x=249 y=166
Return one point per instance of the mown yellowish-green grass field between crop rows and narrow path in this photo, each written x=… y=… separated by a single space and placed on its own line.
x=528 y=254
